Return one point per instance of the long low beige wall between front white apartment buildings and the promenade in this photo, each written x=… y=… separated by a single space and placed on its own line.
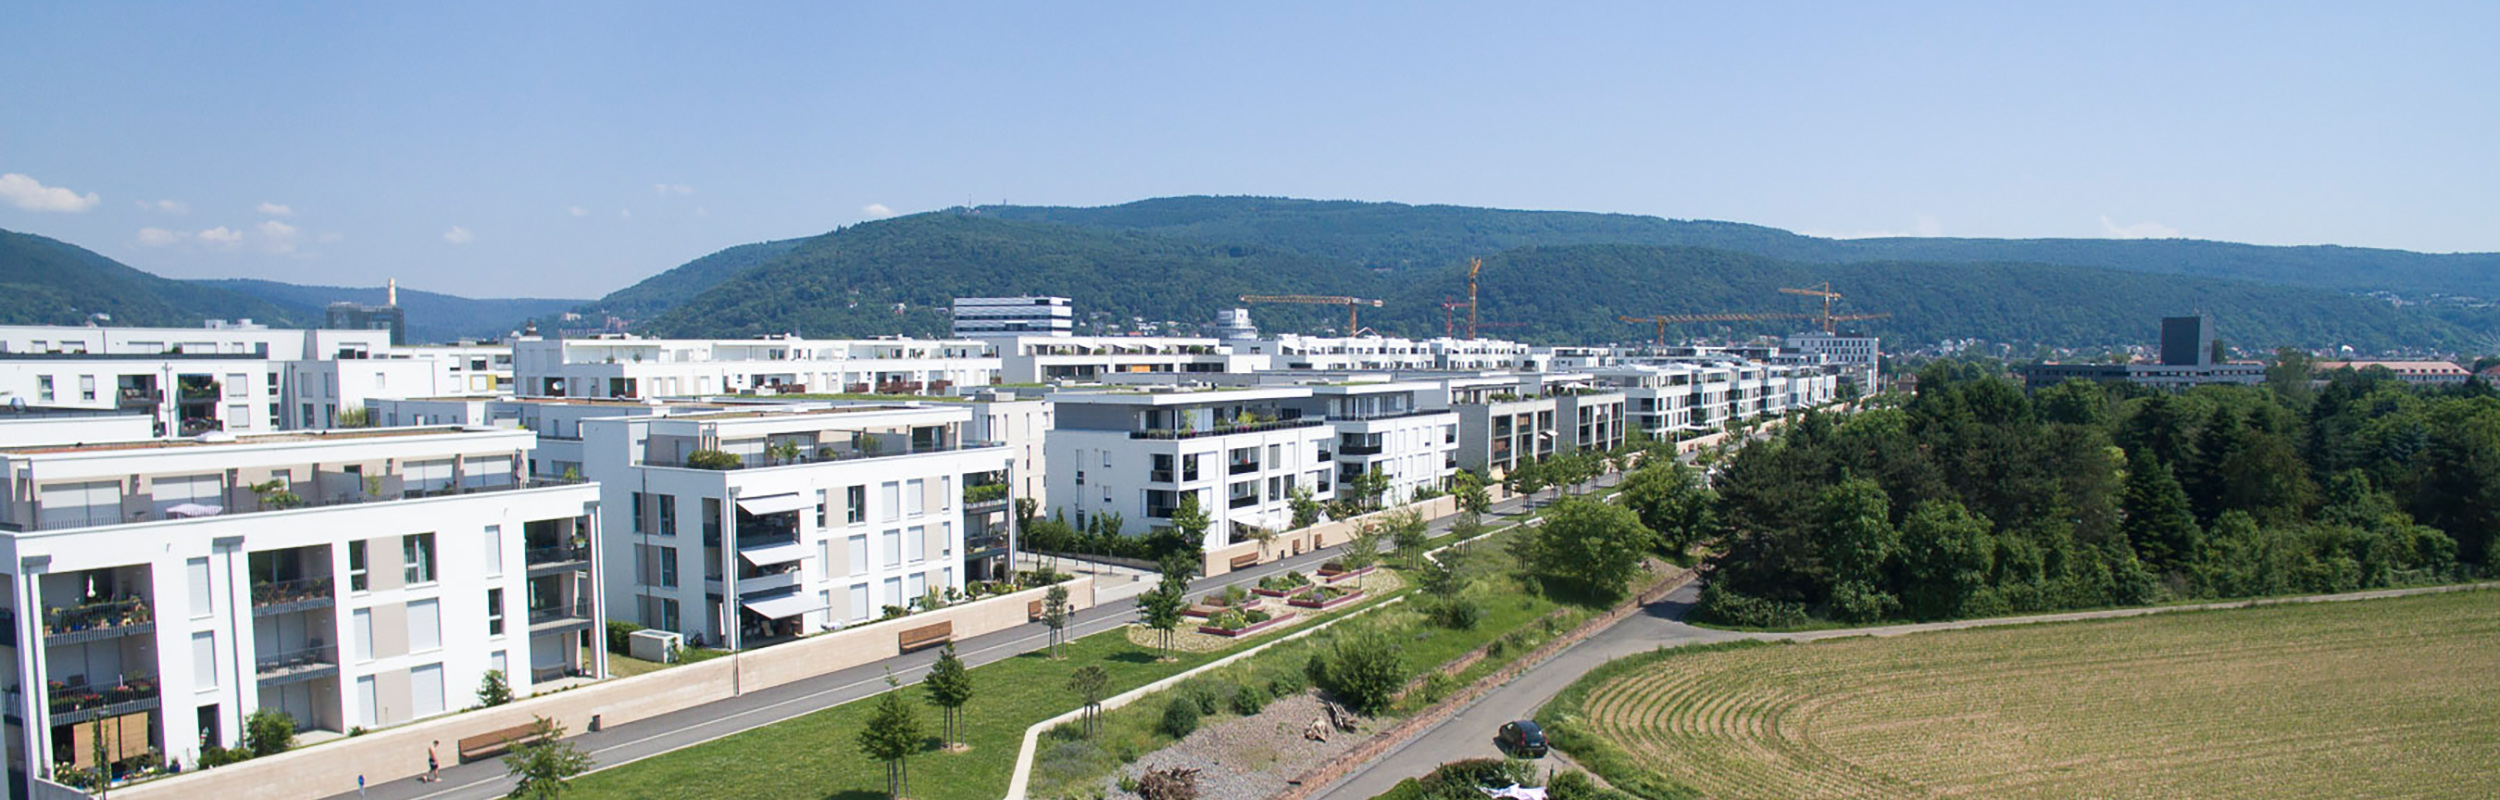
x=394 y=754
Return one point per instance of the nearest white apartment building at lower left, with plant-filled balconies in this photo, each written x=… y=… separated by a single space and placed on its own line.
x=354 y=579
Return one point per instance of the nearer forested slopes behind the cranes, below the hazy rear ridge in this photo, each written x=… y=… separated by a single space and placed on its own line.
x=899 y=276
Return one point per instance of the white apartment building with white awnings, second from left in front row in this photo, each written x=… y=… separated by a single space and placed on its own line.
x=831 y=516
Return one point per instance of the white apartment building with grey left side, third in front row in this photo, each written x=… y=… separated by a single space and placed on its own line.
x=1134 y=454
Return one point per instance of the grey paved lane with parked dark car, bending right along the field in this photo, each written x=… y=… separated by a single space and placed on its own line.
x=1469 y=734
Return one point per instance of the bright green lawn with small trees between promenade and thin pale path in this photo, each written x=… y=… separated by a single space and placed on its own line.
x=819 y=756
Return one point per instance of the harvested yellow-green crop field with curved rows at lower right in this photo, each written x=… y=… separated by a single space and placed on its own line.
x=2376 y=699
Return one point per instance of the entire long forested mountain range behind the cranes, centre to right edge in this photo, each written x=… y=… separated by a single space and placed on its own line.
x=1551 y=276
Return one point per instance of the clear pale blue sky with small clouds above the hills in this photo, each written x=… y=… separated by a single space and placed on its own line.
x=564 y=151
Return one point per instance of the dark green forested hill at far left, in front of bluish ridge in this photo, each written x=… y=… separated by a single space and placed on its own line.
x=56 y=284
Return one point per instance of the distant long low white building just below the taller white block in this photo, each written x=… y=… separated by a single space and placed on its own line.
x=1041 y=359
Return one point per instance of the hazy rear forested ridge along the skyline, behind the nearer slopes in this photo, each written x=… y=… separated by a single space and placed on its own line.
x=1436 y=236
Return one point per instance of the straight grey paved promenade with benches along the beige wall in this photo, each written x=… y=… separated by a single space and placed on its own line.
x=644 y=739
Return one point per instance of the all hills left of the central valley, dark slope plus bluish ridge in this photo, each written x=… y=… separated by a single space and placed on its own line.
x=56 y=284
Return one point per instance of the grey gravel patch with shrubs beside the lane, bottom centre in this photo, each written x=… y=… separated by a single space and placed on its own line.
x=1249 y=759
